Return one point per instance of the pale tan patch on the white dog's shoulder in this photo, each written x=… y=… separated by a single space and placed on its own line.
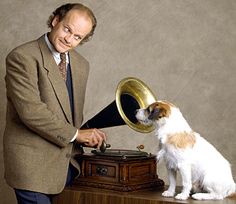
x=182 y=140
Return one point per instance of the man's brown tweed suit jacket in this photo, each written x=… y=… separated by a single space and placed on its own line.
x=39 y=127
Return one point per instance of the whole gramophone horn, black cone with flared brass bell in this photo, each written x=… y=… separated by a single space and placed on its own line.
x=131 y=94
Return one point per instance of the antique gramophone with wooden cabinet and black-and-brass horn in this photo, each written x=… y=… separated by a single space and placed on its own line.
x=118 y=169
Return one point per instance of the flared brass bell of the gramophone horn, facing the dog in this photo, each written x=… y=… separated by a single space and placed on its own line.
x=132 y=94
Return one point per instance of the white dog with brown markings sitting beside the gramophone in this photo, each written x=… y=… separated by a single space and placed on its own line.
x=203 y=169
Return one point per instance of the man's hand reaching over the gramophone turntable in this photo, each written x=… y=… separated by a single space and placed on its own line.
x=91 y=137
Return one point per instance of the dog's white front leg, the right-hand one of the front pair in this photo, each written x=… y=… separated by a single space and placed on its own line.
x=185 y=171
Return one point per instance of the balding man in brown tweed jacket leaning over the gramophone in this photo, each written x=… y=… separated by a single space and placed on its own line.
x=45 y=104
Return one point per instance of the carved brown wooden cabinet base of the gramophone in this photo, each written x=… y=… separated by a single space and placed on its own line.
x=120 y=170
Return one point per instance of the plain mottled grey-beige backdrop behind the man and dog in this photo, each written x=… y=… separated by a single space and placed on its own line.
x=184 y=50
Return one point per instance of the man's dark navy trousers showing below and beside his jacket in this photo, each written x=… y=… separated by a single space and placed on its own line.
x=31 y=197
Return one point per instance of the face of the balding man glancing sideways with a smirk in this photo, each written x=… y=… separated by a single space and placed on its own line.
x=70 y=31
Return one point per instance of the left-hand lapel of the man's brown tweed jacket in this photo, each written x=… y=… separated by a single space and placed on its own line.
x=55 y=78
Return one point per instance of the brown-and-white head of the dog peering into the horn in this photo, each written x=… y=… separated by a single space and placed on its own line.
x=154 y=112
